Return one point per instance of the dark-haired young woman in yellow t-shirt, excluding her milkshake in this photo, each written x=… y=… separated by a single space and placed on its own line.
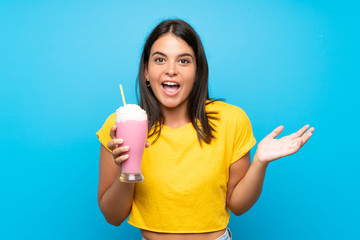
x=197 y=166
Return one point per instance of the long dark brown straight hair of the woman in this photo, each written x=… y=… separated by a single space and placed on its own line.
x=199 y=94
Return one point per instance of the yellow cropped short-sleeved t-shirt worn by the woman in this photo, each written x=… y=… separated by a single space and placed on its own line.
x=185 y=184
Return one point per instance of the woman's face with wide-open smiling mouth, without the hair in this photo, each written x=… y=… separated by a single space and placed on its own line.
x=171 y=71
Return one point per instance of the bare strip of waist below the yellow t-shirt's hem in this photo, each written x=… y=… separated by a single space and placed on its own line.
x=148 y=235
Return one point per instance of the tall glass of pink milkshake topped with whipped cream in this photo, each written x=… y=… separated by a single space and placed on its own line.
x=131 y=122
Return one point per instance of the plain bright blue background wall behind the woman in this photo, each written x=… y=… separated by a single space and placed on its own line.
x=283 y=62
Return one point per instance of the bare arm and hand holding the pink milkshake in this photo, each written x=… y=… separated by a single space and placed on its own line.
x=114 y=197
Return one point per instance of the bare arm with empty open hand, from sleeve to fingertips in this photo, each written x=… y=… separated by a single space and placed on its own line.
x=245 y=189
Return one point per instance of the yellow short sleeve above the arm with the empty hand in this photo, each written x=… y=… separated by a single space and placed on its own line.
x=244 y=138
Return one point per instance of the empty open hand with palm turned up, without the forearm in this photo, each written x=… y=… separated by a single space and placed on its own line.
x=270 y=148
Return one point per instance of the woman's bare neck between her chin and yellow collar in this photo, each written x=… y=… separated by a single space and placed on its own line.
x=176 y=117
